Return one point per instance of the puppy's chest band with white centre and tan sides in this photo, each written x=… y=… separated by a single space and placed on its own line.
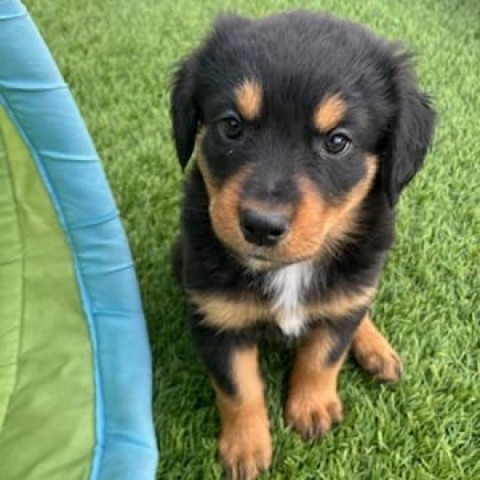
x=289 y=298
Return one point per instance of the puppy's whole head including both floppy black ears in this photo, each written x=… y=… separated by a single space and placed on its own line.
x=297 y=117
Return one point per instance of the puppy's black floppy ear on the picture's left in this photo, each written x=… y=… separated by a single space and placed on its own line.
x=183 y=111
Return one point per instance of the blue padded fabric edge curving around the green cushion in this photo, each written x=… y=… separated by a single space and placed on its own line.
x=39 y=102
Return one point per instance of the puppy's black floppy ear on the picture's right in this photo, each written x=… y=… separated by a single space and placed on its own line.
x=411 y=132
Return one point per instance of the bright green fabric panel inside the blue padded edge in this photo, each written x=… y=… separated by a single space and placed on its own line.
x=46 y=373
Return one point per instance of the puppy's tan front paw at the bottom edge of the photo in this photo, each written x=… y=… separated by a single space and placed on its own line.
x=245 y=449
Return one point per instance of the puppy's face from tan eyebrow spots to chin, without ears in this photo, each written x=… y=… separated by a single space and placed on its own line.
x=284 y=174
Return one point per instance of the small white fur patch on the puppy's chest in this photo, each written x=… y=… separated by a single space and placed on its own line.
x=288 y=286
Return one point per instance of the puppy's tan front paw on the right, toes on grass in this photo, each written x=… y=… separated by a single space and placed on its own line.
x=312 y=413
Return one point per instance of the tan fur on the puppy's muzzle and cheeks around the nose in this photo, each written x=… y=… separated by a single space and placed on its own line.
x=317 y=226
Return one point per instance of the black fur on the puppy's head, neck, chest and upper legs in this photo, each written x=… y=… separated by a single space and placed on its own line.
x=298 y=58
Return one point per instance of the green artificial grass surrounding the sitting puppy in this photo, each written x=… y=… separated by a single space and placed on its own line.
x=117 y=56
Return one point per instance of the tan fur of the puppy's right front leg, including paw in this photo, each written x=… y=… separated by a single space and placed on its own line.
x=313 y=405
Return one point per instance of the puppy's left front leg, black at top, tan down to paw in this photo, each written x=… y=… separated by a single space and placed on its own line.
x=244 y=445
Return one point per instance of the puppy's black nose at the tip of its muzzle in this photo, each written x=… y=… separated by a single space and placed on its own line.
x=264 y=229
